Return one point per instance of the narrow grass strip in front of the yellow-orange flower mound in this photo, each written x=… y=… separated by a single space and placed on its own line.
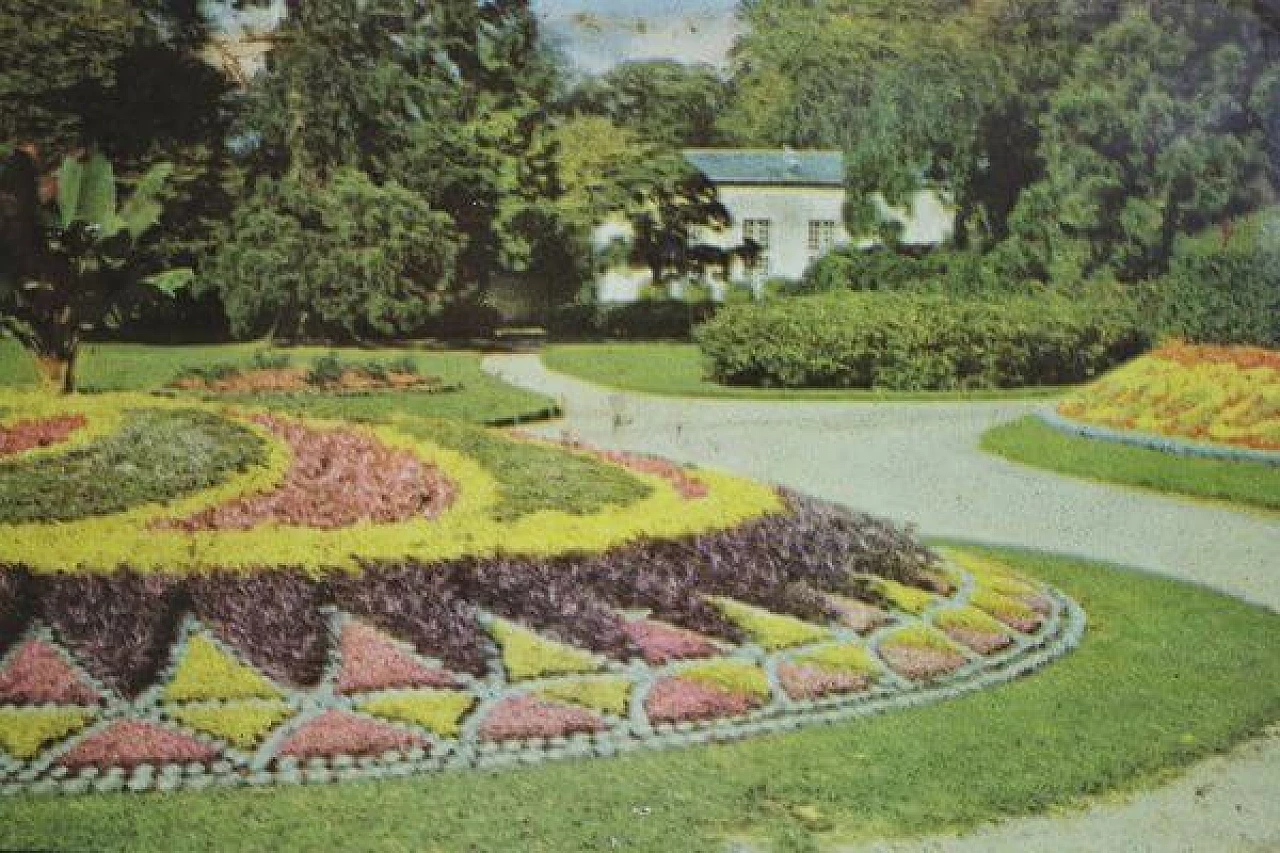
x=1032 y=443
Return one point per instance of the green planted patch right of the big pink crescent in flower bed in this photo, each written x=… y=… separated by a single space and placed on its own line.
x=534 y=477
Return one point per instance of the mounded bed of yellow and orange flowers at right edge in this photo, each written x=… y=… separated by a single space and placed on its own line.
x=1228 y=395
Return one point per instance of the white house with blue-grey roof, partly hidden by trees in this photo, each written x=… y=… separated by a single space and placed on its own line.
x=790 y=207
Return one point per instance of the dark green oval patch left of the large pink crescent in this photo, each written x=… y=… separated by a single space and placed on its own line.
x=157 y=457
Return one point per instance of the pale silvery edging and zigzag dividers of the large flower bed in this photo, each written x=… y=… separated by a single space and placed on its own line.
x=1059 y=635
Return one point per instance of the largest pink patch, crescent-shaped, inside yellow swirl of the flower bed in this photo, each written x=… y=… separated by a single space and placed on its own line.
x=339 y=478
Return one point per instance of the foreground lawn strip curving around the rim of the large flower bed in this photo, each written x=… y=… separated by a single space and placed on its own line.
x=1168 y=673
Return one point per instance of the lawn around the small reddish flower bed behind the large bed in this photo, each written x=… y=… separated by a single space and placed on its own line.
x=132 y=367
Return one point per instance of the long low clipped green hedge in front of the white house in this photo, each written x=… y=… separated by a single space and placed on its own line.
x=916 y=343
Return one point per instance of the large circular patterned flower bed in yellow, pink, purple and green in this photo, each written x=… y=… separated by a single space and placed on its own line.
x=336 y=601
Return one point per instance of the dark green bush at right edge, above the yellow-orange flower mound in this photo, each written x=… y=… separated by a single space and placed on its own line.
x=1224 y=285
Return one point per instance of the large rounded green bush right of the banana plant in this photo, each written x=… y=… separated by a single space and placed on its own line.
x=348 y=257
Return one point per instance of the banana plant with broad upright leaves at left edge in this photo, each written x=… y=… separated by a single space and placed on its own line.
x=70 y=257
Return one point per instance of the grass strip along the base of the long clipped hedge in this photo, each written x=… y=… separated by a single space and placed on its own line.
x=676 y=370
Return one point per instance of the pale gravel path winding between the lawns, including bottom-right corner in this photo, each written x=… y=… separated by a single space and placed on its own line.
x=921 y=464
